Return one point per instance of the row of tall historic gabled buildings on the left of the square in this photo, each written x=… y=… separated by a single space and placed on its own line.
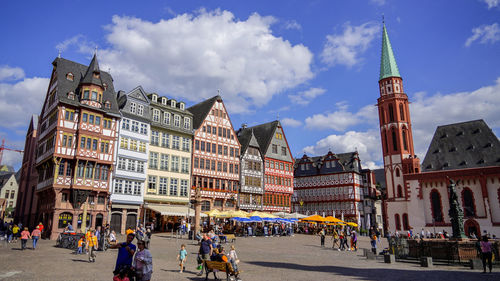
x=95 y=156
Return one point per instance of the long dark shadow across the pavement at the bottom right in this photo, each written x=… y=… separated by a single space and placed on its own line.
x=384 y=273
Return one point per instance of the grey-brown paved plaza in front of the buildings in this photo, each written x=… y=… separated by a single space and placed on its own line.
x=273 y=258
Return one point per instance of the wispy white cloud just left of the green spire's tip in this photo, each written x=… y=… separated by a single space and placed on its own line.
x=346 y=48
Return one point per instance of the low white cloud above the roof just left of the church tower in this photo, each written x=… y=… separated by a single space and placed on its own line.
x=366 y=143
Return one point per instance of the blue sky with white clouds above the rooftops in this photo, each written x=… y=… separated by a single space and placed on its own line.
x=315 y=64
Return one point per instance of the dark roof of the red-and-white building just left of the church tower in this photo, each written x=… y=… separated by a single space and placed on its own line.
x=343 y=162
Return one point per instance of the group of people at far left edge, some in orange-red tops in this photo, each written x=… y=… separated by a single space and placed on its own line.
x=14 y=232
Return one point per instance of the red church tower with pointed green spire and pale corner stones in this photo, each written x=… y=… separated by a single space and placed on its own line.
x=395 y=125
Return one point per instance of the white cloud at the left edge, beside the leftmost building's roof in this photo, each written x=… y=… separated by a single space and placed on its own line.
x=21 y=99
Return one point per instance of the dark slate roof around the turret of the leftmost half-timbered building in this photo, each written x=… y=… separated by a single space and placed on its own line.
x=63 y=67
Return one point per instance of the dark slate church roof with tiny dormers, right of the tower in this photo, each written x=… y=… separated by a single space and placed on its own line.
x=469 y=144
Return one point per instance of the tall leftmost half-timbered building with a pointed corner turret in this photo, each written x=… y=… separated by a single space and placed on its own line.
x=76 y=143
